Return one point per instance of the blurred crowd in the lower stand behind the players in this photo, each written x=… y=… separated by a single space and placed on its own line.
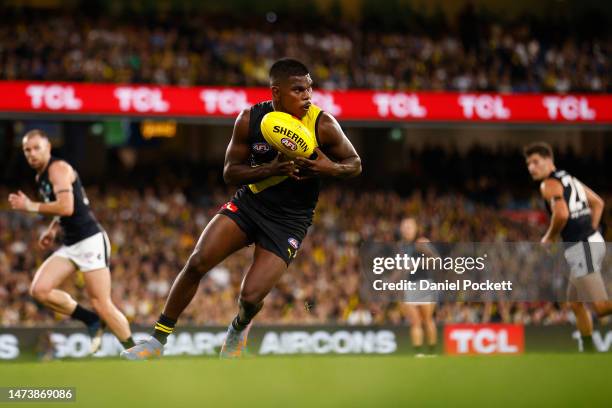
x=152 y=234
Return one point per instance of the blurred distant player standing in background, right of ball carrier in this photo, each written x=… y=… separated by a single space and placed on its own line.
x=419 y=306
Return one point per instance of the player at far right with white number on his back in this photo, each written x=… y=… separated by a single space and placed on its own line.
x=575 y=213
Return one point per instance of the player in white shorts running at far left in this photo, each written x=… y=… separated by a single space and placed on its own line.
x=85 y=244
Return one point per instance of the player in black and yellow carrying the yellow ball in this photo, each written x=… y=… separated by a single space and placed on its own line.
x=272 y=209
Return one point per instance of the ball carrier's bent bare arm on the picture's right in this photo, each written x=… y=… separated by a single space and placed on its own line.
x=341 y=160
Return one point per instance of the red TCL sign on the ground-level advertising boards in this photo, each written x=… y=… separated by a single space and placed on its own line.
x=484 y=339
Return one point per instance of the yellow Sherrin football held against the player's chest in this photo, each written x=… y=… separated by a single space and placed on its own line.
x=287 y=134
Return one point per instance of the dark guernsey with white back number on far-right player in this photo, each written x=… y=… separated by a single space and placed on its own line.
x=579 y=224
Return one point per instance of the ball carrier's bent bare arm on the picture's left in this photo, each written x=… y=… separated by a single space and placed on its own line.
x=237 y=169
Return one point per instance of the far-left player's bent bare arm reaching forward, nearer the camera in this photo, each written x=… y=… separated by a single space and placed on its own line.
x=61 y=176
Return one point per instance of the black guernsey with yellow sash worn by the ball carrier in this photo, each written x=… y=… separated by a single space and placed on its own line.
x=289 y=198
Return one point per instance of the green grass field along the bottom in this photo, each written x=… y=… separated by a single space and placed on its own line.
x=354 y=381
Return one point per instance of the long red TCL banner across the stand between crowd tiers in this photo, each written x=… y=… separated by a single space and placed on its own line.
x=357 y=105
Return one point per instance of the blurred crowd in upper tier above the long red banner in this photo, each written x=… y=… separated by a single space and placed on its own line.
x=472 y=55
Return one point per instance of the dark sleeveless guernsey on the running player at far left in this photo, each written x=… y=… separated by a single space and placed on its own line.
x=82 y=223
